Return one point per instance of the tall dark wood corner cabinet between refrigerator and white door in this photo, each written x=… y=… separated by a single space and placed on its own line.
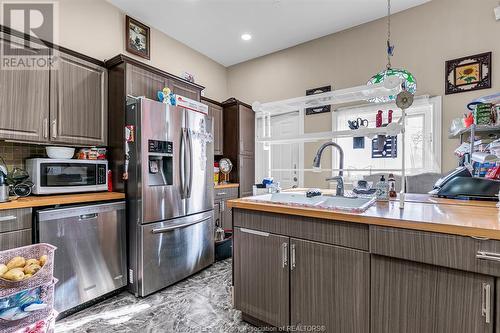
x=239 y=143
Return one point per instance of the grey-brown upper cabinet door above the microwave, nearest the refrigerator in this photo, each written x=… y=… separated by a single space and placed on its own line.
x=79 y=102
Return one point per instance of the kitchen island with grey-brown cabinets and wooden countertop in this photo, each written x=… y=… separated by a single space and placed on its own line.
x=433 y=266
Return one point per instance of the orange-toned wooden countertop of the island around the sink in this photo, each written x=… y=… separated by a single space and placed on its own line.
x=421 y=212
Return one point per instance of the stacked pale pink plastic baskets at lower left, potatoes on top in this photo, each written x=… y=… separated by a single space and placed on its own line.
x=34 y=295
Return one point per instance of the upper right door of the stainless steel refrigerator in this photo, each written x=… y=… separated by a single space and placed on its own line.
x=200 y=191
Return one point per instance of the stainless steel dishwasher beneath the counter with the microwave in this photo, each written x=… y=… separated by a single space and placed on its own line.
x=90 y=260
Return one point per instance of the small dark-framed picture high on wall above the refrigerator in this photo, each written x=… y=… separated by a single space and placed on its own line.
x=137 y=37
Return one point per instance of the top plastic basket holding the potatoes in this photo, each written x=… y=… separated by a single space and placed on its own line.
x=43 y=276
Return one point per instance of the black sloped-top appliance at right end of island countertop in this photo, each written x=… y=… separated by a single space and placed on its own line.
x=460 y=184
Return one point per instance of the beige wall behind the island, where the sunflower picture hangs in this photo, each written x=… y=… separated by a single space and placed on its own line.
x=425 y=37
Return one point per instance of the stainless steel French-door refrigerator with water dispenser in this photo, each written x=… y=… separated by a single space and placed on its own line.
x=169 y=194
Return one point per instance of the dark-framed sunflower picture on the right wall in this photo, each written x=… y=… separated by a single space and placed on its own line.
x=468 y=73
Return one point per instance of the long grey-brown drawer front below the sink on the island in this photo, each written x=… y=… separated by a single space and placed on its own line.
x=353 y=235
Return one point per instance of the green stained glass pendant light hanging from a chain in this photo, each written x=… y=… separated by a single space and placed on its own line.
x=409 y=83
